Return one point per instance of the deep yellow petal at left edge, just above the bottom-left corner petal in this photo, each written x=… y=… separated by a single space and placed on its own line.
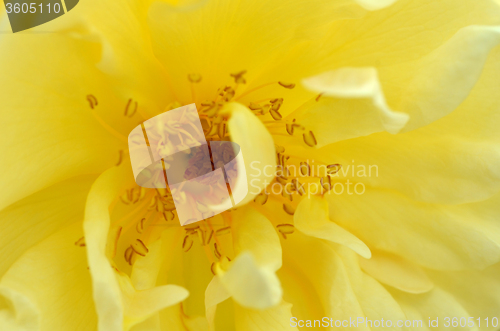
x=34 y=218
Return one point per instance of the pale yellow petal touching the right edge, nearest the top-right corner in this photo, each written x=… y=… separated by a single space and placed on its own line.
x=455 y=67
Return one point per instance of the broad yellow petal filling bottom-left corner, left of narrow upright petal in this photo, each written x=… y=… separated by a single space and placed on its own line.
x=53 y=276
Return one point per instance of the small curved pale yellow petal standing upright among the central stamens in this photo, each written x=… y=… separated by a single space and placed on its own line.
x=257 y=148
